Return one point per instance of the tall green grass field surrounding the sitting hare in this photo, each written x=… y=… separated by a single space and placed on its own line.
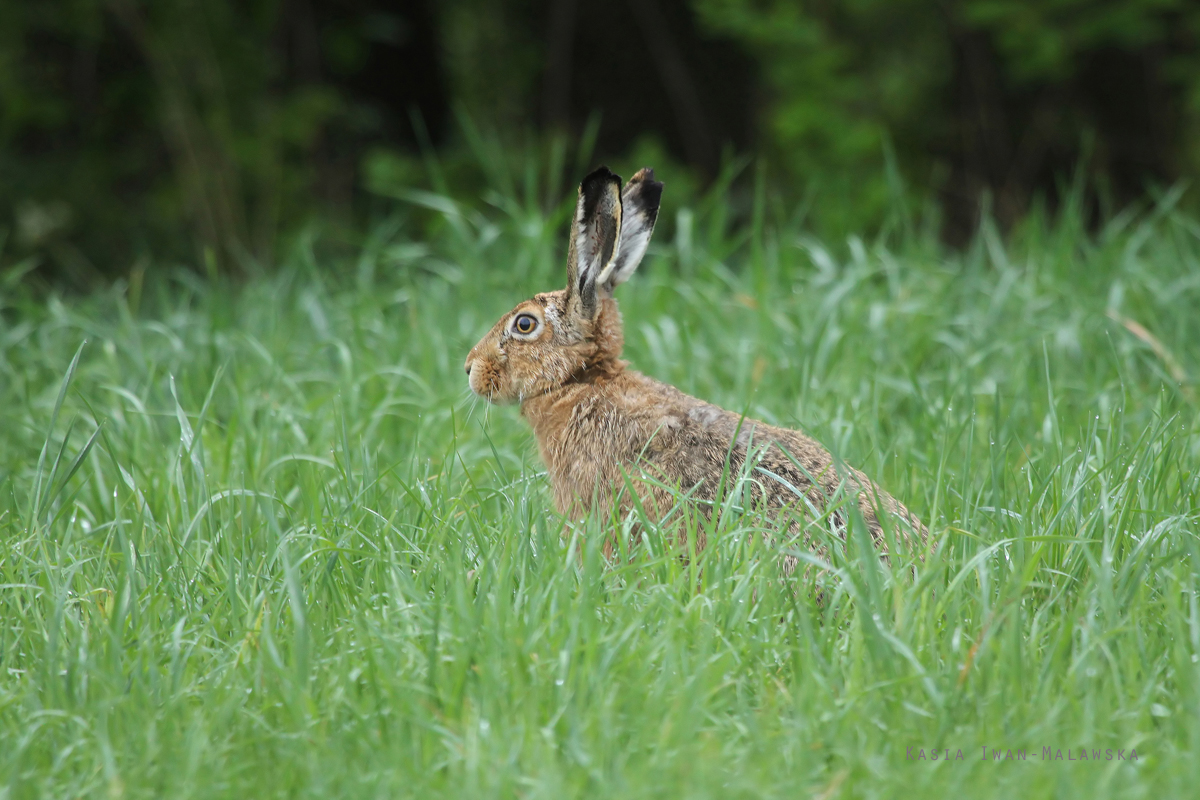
x=261 y=543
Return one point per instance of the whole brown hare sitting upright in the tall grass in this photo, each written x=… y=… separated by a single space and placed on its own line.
x=597 y=423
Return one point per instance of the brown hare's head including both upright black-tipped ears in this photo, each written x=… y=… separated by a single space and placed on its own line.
x=573 y=334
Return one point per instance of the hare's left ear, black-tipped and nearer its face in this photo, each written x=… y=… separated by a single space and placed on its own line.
x=596 y=239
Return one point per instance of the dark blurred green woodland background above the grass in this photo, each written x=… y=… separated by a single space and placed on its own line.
x=208 y=133
